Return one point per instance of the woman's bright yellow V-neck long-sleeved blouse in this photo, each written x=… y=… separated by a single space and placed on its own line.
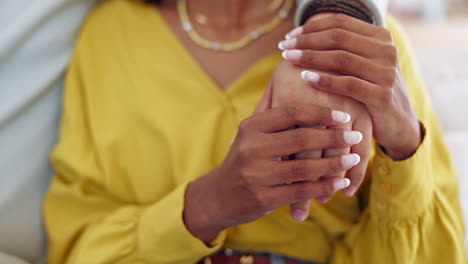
x=141 y=120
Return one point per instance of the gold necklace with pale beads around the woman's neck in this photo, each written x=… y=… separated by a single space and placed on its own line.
x=282 y=14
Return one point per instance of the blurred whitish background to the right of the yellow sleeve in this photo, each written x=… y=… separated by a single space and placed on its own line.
x=438 y=30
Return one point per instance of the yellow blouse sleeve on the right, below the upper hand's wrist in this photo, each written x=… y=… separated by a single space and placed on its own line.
x=413 y=214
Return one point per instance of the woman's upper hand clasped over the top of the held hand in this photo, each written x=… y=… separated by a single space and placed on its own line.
x=367 y=59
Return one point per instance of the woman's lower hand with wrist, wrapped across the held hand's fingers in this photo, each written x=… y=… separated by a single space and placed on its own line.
x=252 y=182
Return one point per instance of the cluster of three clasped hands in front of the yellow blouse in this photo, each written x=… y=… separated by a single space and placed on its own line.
x=282 y=154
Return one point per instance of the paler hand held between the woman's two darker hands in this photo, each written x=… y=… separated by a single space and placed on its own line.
x=288 y=88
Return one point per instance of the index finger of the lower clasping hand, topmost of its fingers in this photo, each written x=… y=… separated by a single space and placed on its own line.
x=282 y=118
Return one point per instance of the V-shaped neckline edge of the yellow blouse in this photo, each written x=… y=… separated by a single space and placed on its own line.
x=200 y=71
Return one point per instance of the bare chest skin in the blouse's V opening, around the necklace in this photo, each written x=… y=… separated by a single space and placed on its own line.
x=228 y=20
